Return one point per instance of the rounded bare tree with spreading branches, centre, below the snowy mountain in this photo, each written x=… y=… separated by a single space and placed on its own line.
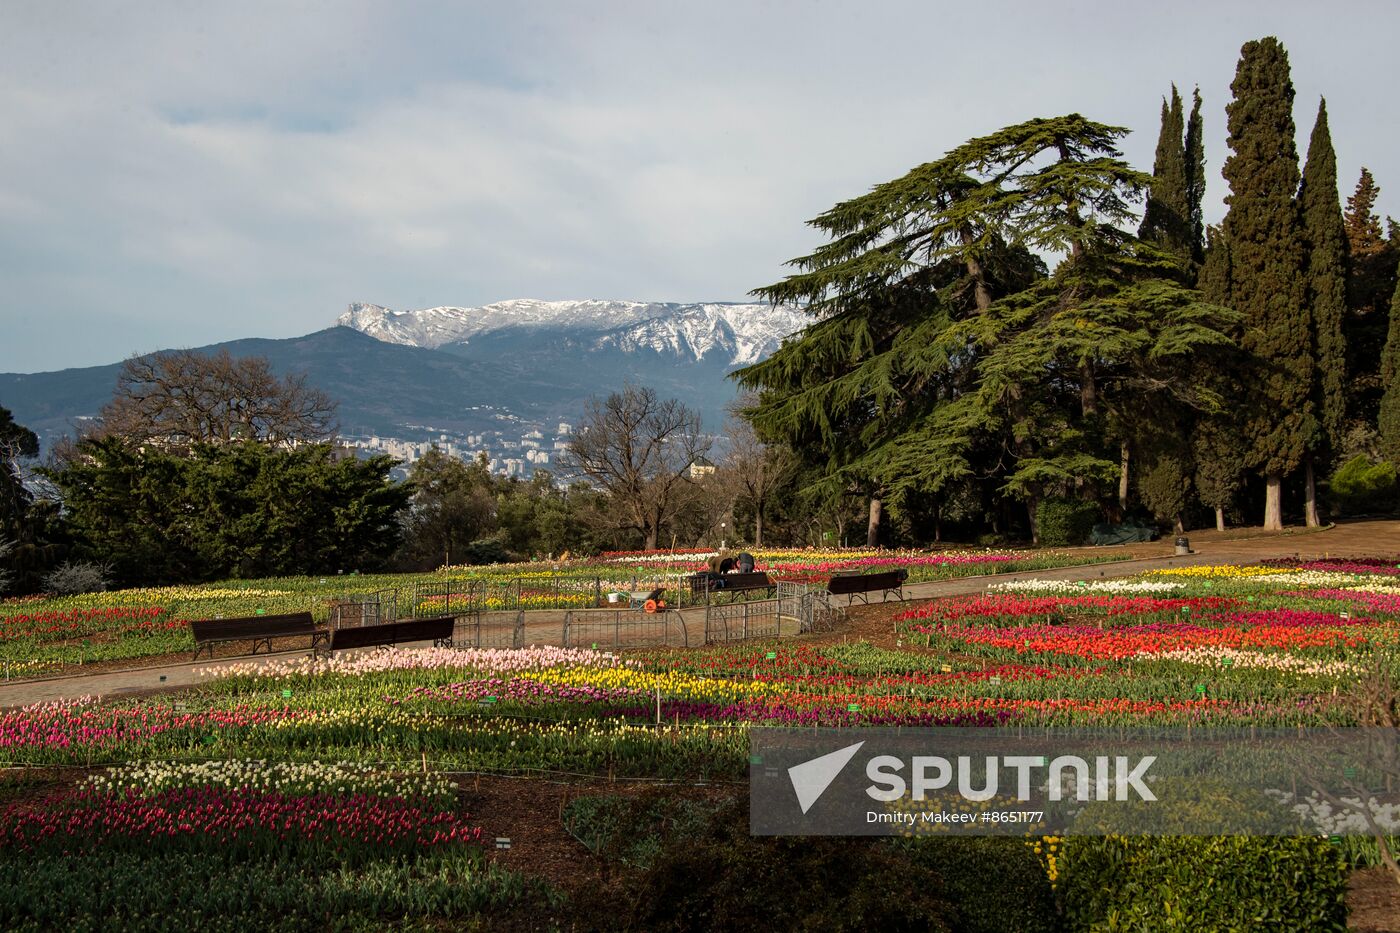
x=639 y=450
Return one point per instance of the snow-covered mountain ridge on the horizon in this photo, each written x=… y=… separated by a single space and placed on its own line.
x=733 y=334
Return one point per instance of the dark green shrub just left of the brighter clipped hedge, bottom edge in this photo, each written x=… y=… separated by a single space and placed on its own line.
x=992 y=883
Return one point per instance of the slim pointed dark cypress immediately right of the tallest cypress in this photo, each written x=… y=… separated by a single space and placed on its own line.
x=1326 y=240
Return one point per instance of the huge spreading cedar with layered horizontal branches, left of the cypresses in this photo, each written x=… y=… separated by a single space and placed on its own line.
x=941 y=355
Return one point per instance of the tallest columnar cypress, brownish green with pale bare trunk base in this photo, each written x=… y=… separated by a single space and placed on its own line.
x=1268 y=282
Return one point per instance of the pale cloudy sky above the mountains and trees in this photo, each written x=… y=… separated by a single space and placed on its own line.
x=174 y=174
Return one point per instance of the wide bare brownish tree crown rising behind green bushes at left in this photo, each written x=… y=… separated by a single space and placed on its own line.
x=184 y=397
